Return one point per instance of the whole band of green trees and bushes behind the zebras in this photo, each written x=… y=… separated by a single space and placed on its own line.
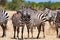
x=17 y=4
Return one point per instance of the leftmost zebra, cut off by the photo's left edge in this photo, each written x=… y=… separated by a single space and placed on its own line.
x=3 y=21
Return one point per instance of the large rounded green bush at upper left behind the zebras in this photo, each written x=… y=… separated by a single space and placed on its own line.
x=15 y=4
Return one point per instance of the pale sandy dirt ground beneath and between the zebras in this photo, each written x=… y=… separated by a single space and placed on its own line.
x=50 y=34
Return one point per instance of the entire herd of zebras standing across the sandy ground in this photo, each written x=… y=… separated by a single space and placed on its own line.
x=31 y=18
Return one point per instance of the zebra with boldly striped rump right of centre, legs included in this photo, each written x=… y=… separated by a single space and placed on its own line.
x=38 y=20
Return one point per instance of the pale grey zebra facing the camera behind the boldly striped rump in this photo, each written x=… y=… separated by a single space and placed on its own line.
x=51 y=15
